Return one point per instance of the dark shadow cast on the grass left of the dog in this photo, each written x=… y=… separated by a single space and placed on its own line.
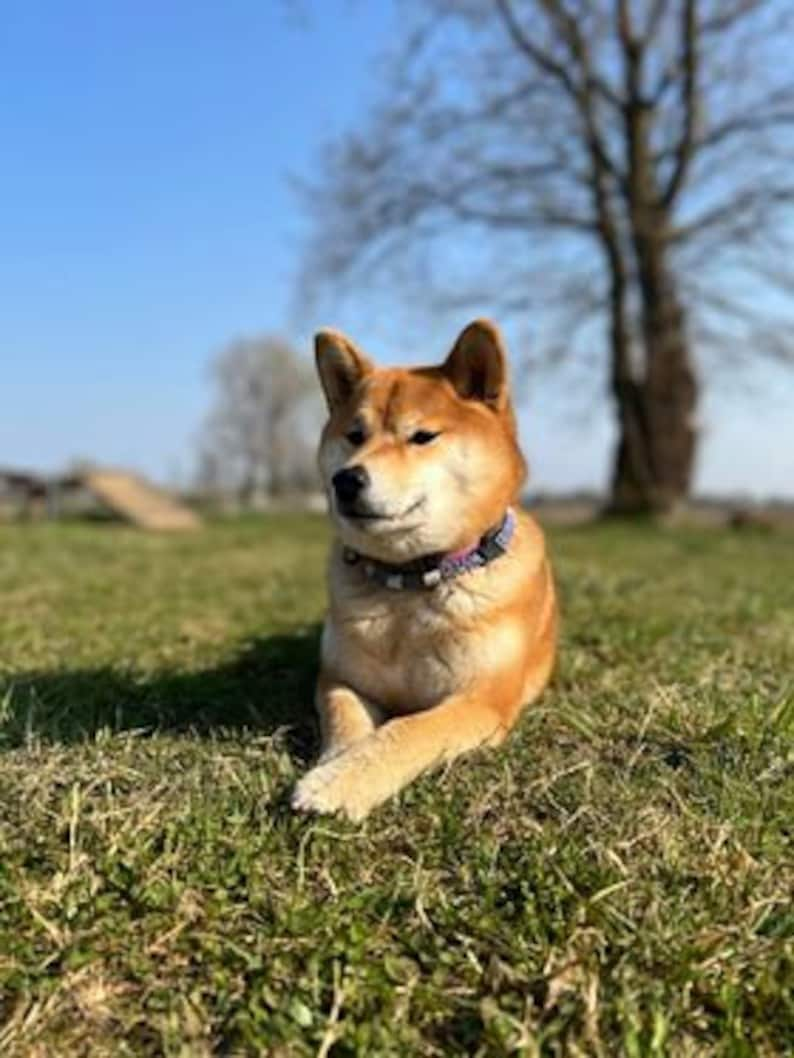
x=268 y=687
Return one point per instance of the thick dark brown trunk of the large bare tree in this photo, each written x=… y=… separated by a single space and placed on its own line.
x=655 y=459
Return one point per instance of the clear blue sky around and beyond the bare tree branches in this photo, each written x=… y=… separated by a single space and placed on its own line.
x=148 y=220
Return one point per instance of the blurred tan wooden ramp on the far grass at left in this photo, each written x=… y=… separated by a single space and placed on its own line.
x=135 y=500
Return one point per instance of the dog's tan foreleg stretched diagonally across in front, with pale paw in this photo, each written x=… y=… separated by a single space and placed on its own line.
x=372 y=771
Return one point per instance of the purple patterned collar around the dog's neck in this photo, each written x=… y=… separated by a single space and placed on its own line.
x=430 y=571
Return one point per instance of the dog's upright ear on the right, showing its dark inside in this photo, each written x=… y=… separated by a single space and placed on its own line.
x=478 y=366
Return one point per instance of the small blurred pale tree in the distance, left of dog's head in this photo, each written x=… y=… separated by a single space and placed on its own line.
x=256 y=442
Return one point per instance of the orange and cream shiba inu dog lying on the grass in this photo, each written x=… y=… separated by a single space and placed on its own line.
x=443 y=616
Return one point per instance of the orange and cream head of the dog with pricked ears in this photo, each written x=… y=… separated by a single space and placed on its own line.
x=419 y=461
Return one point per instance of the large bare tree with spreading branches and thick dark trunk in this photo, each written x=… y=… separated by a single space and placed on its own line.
x=589 y=161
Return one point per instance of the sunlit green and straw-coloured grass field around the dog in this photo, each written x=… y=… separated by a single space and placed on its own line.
x=617 y=882
